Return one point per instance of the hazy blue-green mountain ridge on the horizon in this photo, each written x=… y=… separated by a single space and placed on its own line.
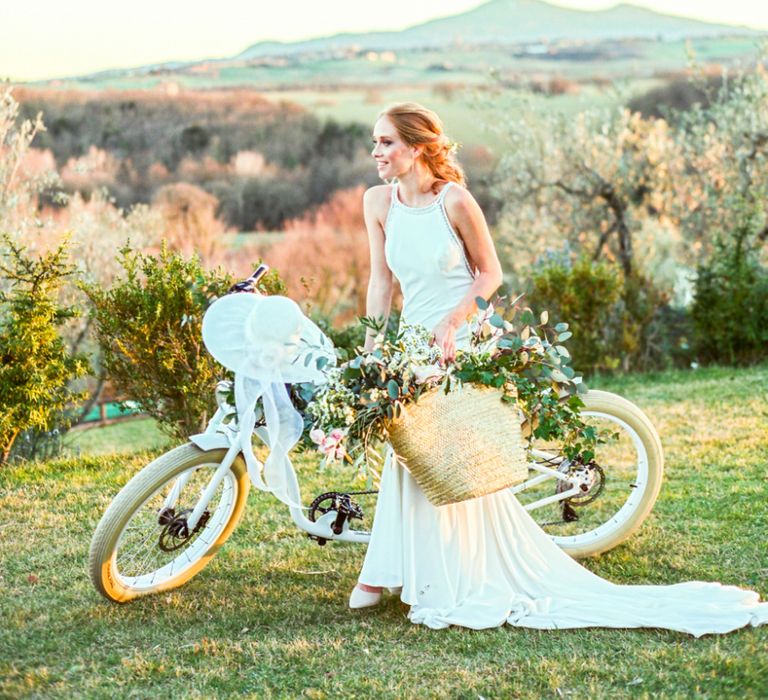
x=531 y=26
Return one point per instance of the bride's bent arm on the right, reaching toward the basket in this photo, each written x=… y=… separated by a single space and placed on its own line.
x=467 y=218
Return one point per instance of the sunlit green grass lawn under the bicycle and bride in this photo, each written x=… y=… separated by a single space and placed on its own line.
x=268 y=617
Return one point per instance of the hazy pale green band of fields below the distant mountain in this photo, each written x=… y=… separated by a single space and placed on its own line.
x=457 y=64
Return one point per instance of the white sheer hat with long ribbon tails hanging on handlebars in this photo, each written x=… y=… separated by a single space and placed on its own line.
x=268 y=343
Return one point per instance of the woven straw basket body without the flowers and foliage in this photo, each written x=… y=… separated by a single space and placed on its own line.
x=461 y=445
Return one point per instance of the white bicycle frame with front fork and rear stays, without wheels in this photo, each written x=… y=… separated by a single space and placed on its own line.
x=221 y=433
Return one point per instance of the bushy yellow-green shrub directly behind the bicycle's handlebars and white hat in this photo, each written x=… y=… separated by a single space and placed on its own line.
x=148 y=325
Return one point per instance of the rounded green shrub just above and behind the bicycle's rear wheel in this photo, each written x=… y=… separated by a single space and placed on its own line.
x=614 y=319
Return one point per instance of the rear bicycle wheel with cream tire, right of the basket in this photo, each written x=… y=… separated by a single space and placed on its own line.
x=623 y=483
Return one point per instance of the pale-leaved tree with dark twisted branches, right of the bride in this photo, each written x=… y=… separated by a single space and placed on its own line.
x=592 y=180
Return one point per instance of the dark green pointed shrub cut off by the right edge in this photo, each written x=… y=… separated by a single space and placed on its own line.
x=730 y=308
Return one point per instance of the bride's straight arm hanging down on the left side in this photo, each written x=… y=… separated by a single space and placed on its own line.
x=380 y=283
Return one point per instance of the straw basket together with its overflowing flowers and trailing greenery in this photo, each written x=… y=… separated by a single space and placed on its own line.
x=459 y=428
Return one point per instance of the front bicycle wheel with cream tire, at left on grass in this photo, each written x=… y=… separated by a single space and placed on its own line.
x=141 y=546
